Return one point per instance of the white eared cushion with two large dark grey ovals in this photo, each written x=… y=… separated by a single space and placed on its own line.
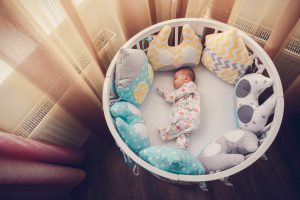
x=250 y=115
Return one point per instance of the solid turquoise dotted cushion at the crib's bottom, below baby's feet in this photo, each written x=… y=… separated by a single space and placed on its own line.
x=172 y=159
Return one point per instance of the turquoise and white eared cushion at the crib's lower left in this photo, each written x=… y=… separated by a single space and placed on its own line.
x=130 y=125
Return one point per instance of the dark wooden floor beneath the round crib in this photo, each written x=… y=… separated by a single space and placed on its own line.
x=278 y=178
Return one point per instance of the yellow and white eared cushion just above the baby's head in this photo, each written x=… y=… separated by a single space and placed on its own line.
x=164 y=57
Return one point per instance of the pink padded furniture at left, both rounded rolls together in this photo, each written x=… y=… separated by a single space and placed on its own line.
x=25 y=163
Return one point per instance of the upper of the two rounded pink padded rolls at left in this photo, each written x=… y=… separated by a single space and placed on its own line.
x=19 y=147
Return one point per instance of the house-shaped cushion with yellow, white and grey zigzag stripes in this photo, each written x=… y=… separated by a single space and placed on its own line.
x=226 y=55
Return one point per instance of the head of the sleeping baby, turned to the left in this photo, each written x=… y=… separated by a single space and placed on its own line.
x=183 y=75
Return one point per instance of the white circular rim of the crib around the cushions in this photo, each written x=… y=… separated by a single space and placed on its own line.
x=198 y=24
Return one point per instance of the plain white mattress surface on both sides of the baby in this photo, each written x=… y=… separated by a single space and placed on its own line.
x=217 y=112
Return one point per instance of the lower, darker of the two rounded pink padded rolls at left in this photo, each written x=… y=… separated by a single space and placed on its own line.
x=23 y=172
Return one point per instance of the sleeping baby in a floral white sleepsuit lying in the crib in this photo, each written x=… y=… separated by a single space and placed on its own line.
x=185 y=114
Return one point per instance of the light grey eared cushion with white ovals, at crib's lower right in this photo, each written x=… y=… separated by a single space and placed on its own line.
x=228 y=150
